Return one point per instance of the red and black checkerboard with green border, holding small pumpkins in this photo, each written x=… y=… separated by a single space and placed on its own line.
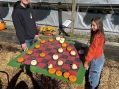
x=51 y=48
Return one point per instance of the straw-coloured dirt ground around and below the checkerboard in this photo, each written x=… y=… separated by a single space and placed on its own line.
x=16 y=77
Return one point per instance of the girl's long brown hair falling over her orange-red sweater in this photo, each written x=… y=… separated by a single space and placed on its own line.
x=100 y=30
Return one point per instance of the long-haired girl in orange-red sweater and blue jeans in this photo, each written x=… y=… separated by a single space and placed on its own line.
x=95 y=55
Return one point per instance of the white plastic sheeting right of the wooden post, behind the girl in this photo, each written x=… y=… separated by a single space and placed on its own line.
x=110 y=22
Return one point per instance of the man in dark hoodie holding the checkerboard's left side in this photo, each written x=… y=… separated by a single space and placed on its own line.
x=24 y=23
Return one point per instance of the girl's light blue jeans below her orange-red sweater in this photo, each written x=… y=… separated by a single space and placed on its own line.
x=96 y=66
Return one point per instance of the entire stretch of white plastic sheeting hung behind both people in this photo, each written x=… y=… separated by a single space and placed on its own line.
x=50 y=17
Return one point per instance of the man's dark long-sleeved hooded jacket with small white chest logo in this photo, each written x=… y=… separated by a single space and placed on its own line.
x=24 y=23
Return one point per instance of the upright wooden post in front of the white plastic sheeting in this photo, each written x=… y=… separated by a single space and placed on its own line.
x=73 y=16
